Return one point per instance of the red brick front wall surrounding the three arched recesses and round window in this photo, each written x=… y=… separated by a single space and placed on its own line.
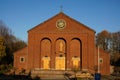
x=73 y=30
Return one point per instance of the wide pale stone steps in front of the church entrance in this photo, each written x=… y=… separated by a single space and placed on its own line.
x=53 y=74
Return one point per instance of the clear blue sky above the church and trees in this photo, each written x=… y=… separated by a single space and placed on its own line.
x=22 y=15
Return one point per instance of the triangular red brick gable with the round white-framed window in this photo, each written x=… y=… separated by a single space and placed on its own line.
x=61 y=23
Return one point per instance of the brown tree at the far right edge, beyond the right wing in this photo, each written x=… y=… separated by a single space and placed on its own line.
x=115 y=48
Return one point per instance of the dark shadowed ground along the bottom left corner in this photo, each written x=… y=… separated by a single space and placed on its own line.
x=17 y=77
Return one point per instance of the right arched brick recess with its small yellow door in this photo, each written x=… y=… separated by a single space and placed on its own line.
x=76 y=53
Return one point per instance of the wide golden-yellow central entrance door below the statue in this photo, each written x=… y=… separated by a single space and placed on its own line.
x=60 y=63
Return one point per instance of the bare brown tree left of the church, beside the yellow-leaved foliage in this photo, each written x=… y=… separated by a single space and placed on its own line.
x=11 y=42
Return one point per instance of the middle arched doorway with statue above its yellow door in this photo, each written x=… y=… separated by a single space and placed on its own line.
x=60 y=59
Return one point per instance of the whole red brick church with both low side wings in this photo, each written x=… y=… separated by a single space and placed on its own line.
x=61 y=43
